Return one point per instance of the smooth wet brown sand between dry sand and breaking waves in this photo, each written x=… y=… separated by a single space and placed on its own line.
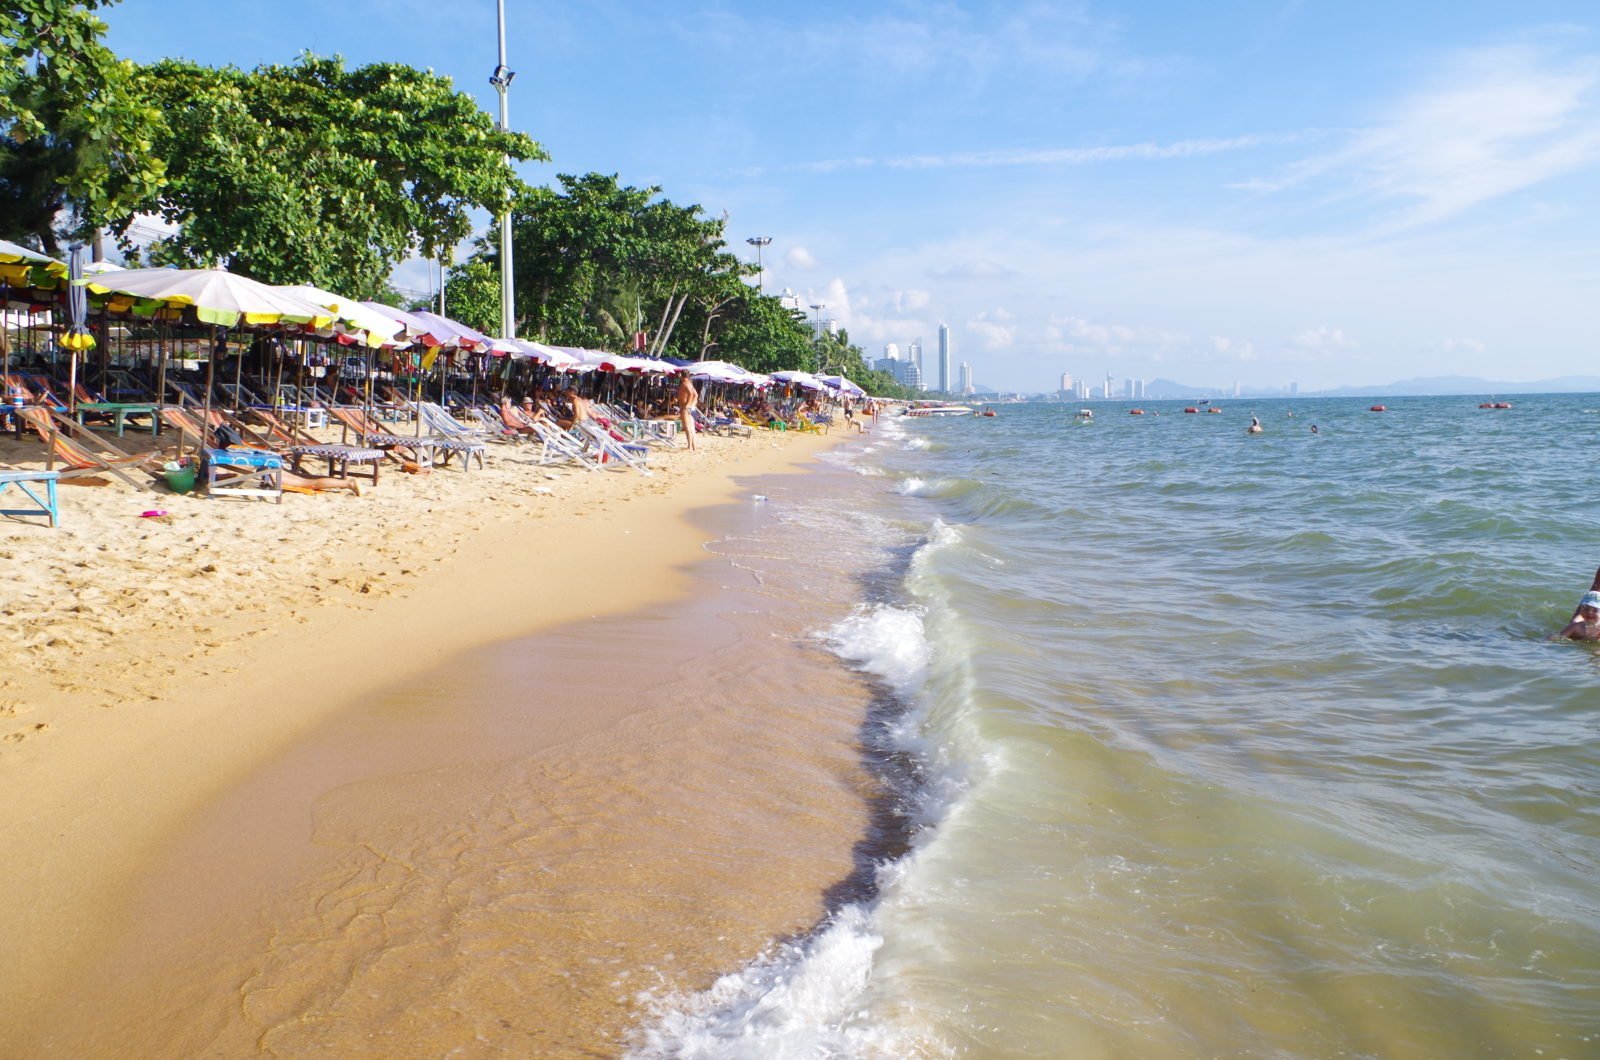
x=513 y=853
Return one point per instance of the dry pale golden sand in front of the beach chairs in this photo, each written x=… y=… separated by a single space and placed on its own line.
x=158 y=664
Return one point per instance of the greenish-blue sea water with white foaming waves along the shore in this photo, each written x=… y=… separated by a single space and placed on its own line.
x=1207 y=744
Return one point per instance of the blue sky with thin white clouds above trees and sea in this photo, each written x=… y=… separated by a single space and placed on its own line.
x=1262 y=193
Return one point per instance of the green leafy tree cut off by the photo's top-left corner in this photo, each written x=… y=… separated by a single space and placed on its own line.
x=76 y=137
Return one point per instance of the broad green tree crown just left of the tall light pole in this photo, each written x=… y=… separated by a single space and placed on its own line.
x=319 y=174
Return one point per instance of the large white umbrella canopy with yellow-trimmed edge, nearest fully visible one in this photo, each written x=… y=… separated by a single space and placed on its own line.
x=217 y=297
